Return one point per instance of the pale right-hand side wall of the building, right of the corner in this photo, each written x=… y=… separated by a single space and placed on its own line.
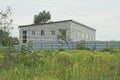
x=79 y=32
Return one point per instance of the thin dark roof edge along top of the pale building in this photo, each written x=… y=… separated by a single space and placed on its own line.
x=58 y=22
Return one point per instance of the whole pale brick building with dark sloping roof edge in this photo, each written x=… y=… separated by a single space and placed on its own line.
x=49 y=31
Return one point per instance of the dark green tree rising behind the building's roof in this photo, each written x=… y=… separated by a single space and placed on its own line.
x=42 y=17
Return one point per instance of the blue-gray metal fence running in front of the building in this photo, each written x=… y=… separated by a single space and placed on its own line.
x=72 y=45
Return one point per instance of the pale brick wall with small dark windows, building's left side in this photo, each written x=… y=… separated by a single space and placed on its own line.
x=47 y=28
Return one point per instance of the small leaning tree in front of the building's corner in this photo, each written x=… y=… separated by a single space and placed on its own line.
x=62 y=36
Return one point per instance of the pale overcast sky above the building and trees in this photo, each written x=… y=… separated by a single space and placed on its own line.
x=102 y=15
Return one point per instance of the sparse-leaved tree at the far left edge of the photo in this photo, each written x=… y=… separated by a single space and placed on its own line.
x=5 y=26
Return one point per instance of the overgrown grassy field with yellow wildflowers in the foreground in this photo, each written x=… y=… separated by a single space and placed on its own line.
x=60 y=65
